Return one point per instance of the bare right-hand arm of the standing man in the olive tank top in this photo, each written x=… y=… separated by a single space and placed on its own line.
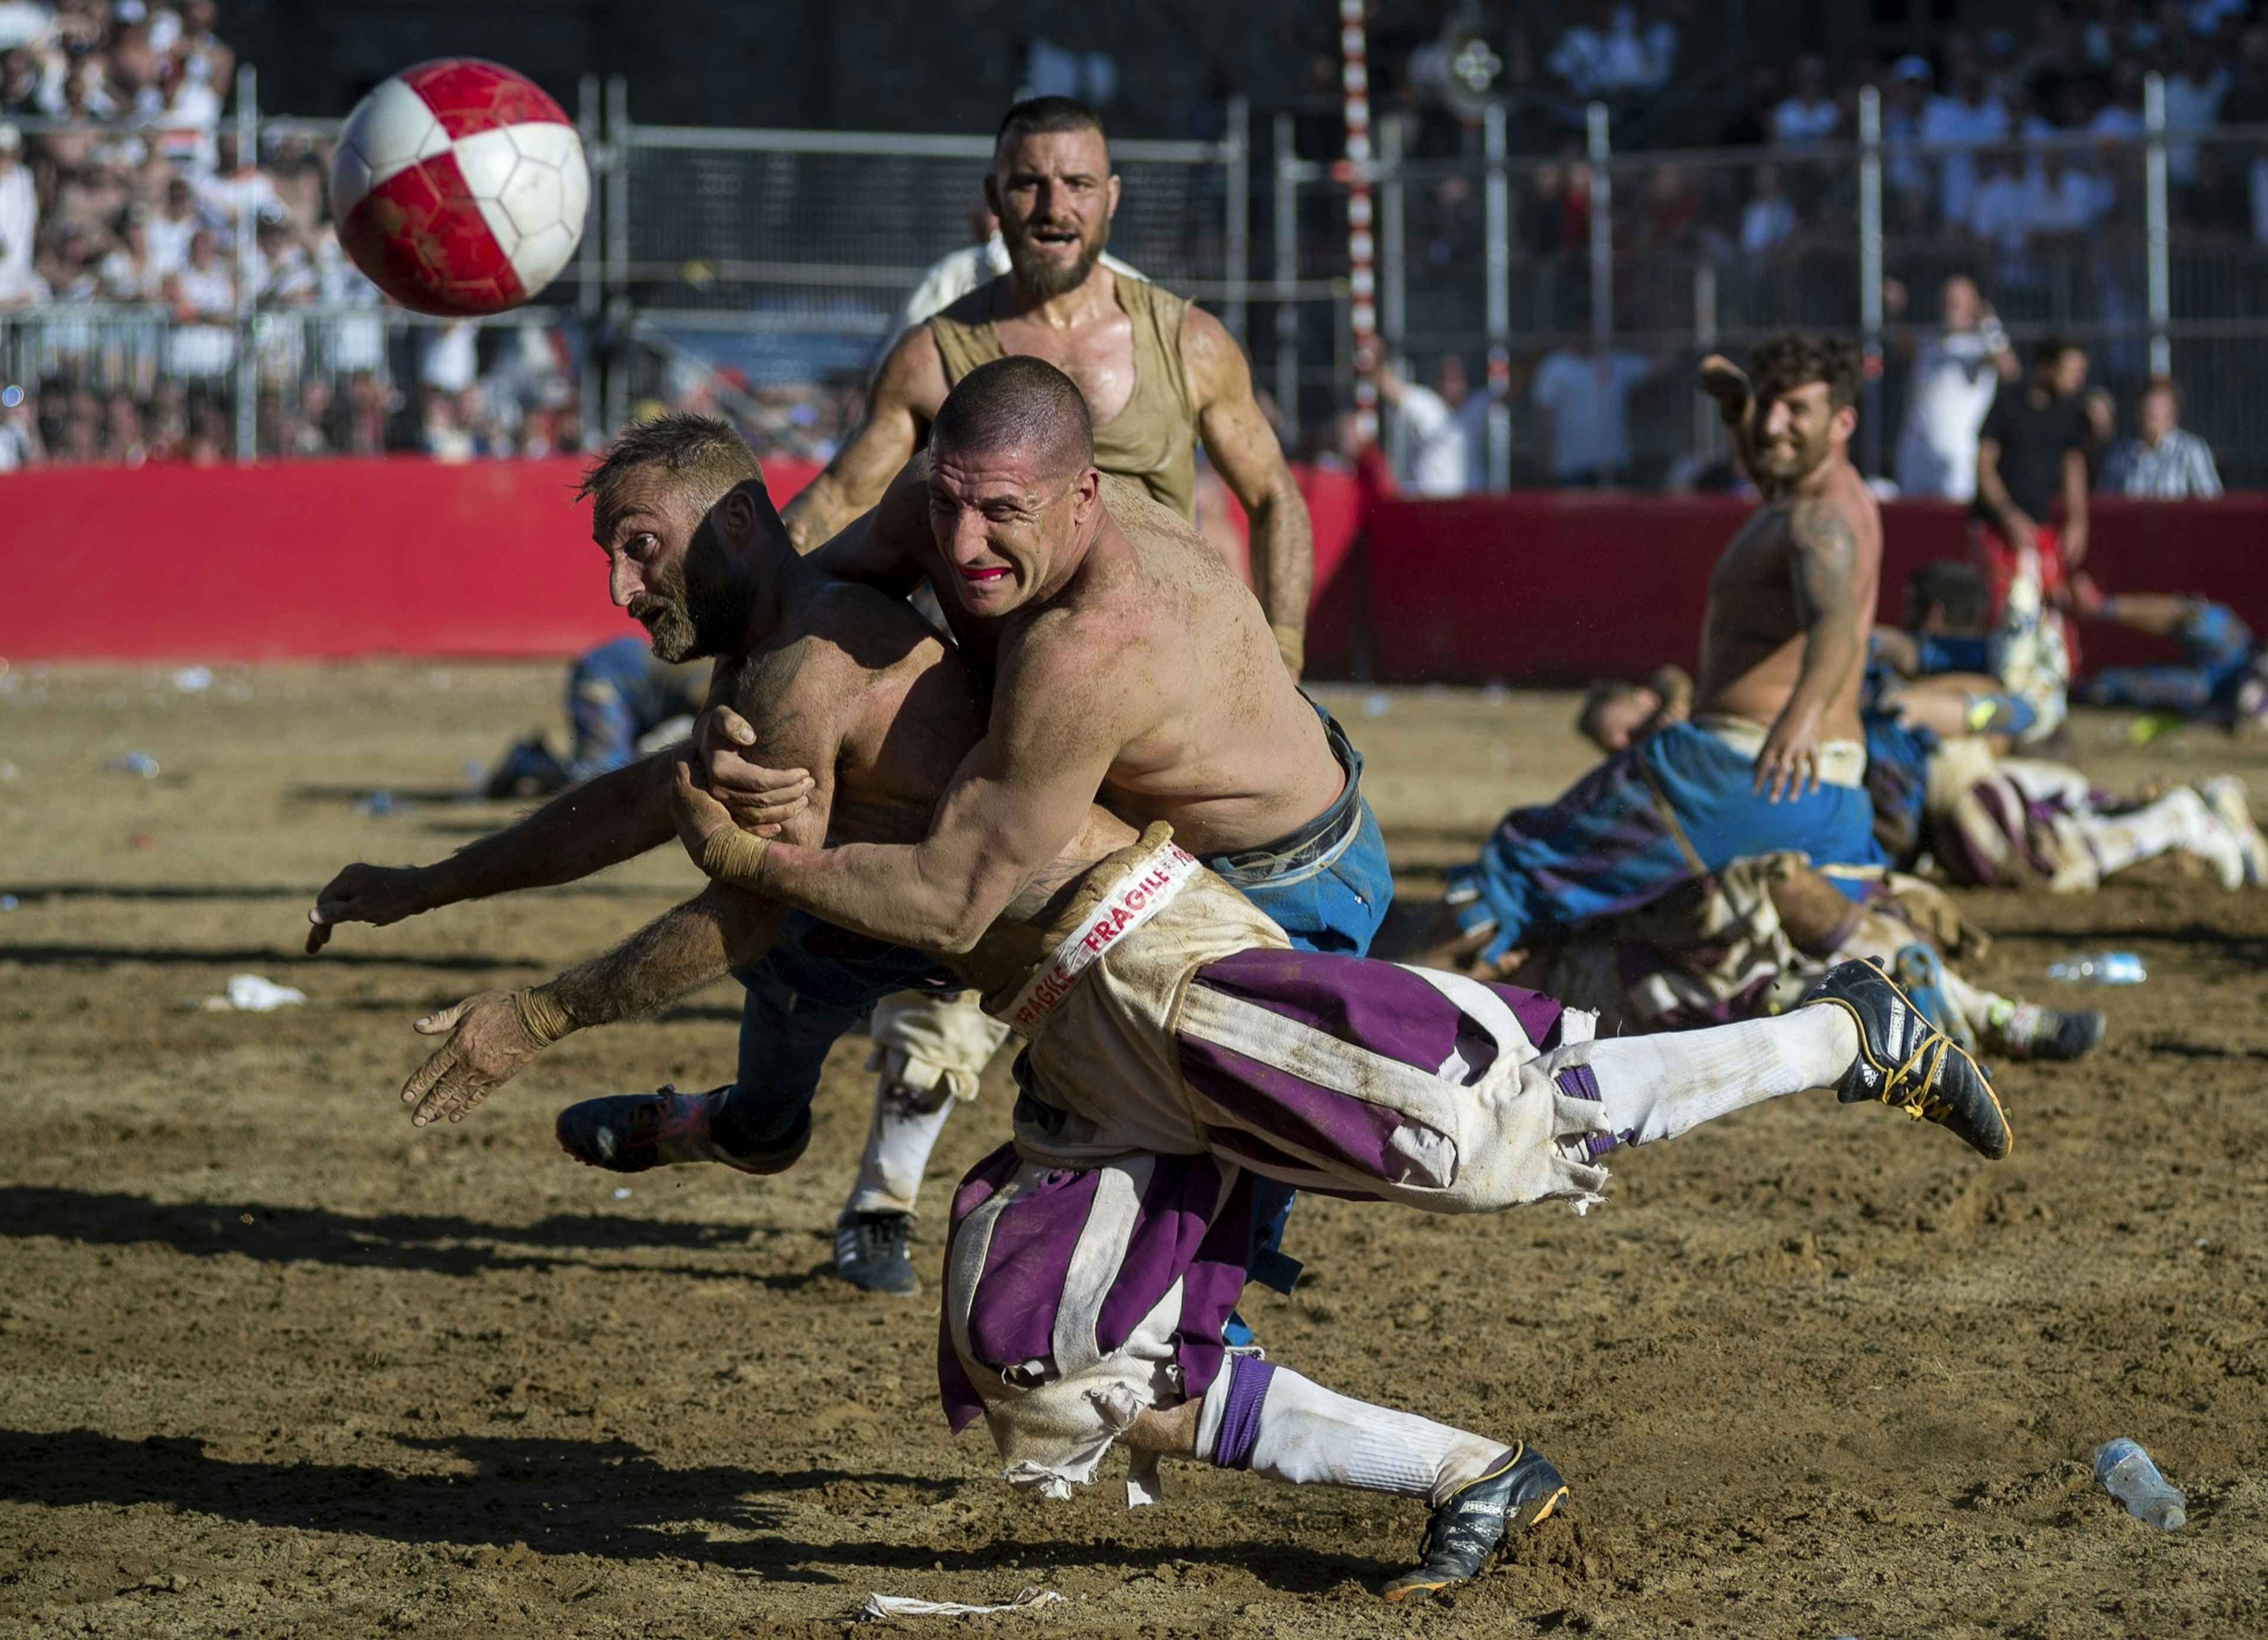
x=1251 y=462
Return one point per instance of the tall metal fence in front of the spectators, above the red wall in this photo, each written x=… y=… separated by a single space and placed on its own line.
x=727 y=264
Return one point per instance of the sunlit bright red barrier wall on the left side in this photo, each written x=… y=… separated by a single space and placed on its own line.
x=328 y=559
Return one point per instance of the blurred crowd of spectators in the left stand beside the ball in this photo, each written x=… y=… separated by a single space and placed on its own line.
x=151 y=273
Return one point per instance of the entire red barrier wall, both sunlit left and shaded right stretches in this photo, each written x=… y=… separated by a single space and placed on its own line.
x=493 y=559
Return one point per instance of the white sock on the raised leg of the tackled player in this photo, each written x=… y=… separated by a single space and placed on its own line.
x=1659 y=1088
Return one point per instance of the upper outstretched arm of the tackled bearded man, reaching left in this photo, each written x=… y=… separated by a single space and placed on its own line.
x=586 y=829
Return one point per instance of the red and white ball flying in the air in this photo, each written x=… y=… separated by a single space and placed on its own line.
x=459 y=187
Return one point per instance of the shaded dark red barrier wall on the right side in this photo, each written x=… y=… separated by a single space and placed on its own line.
x=1566 y=586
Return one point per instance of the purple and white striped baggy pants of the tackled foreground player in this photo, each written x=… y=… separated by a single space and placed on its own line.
x=1081 y=1296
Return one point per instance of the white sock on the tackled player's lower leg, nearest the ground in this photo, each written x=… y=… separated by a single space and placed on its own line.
x=1317 y=1437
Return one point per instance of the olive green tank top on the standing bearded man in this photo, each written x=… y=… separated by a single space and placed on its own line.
x=1153 y=439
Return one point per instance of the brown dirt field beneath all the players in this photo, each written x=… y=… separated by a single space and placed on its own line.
x=273 y=1364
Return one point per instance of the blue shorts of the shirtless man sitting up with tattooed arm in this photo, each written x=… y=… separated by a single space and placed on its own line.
x=1670 y=809
